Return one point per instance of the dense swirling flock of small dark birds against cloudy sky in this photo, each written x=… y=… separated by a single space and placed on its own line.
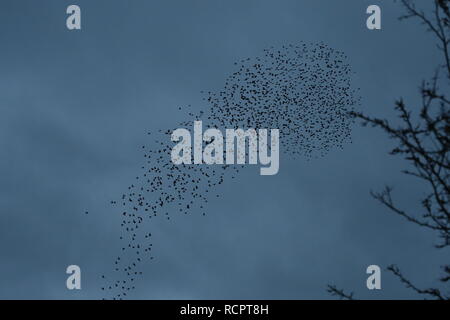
x=303 y=90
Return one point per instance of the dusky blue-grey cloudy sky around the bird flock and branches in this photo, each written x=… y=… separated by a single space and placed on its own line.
x=77 y=105
